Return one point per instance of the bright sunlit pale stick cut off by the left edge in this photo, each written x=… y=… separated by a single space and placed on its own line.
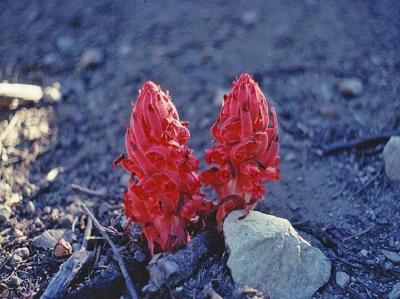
x=22 y=91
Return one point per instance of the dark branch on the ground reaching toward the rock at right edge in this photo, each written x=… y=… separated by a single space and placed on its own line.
x=362 y=142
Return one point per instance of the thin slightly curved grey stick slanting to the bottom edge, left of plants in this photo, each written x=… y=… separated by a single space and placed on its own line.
x=128 y=281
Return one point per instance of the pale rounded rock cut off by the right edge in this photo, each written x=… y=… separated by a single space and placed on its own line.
x=391 y=156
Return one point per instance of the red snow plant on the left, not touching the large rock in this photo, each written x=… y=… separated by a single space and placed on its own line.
x=163 y=192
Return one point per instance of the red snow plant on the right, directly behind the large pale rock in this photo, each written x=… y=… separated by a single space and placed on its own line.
x=247 y=150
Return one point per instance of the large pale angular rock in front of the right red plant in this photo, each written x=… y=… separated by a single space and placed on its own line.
x=268 y=254
